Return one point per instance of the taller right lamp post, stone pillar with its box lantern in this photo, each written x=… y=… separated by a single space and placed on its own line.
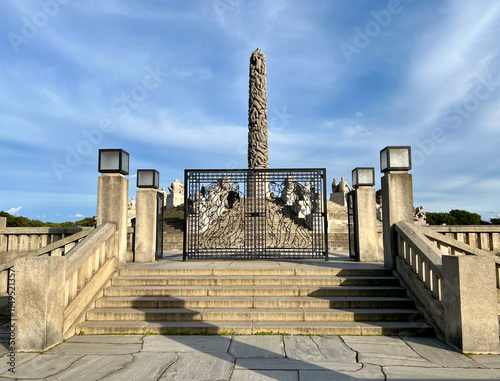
x=397 y=195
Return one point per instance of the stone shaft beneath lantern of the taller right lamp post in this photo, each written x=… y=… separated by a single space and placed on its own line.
x=397 y=206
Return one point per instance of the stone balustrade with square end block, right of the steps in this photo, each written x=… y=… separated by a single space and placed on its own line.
x=457 y=285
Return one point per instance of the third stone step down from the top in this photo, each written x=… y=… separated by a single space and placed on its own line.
x=182 y=291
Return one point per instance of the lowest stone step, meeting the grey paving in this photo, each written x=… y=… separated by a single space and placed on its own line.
x=248 y=328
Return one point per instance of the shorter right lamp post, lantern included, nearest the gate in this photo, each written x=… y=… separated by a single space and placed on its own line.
x=365 y=219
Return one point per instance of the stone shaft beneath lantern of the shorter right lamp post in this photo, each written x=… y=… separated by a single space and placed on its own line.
x=366 y=224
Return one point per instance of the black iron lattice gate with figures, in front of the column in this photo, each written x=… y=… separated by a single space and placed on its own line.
x=255 y=214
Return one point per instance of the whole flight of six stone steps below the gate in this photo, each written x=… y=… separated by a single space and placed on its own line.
x=252 y=300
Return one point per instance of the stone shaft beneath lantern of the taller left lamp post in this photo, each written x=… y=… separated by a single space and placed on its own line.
x=112 y=207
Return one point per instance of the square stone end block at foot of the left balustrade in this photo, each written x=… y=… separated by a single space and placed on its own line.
x=39 y=302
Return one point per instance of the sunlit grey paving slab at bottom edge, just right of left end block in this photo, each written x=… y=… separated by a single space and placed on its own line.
x=92 y=368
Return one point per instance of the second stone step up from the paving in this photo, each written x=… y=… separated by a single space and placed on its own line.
x=253 y=314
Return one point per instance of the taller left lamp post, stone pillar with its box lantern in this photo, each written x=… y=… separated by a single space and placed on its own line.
x=112 y=196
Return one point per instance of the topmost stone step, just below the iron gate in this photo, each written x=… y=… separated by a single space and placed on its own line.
x=263 y=271
